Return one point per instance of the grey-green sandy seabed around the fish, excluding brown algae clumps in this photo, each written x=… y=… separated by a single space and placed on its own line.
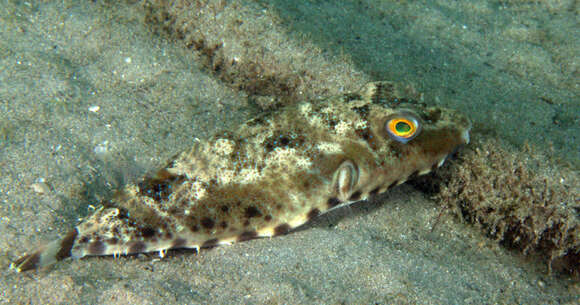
x=92 y=96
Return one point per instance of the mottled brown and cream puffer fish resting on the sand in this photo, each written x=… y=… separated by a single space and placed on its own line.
x=272 y=174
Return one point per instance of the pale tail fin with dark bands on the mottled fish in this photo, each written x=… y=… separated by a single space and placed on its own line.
x=48 y=255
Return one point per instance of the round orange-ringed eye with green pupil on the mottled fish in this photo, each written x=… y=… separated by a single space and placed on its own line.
x=403 y=126
